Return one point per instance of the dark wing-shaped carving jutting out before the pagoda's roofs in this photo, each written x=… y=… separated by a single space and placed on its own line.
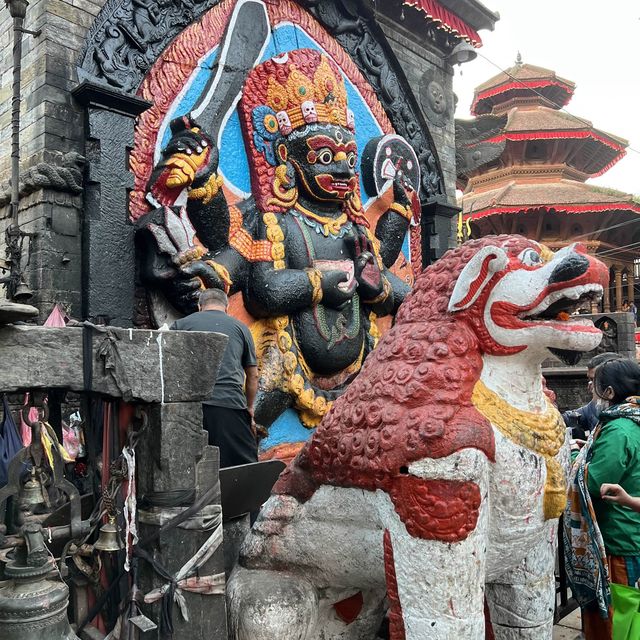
x=472 y=148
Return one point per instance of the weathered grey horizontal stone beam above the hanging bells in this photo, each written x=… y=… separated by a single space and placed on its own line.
x=151 y=366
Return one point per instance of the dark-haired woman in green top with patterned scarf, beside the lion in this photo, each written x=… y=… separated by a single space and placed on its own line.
x=602 y=537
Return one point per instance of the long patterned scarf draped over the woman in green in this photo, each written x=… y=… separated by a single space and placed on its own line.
x=585 y=556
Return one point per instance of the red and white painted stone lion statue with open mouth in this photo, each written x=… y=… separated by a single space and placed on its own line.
x=432 y=487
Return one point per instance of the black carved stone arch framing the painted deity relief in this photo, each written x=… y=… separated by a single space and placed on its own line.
x=128 y=36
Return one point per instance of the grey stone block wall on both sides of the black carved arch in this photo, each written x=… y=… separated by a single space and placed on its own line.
x=53 y=135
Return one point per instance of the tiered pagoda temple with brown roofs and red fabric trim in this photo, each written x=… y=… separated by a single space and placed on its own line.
x=523 y=163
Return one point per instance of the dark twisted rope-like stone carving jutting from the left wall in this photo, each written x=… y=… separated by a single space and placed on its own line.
x=65 y=176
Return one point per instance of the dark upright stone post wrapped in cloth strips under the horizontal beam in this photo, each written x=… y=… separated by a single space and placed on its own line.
x=173 y=456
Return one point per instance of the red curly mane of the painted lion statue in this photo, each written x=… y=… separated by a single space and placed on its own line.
x=412 y=399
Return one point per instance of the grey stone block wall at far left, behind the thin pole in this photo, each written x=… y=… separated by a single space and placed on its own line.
x=51 y=126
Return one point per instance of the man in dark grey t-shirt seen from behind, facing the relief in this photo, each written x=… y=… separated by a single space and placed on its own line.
x=228 y=414
